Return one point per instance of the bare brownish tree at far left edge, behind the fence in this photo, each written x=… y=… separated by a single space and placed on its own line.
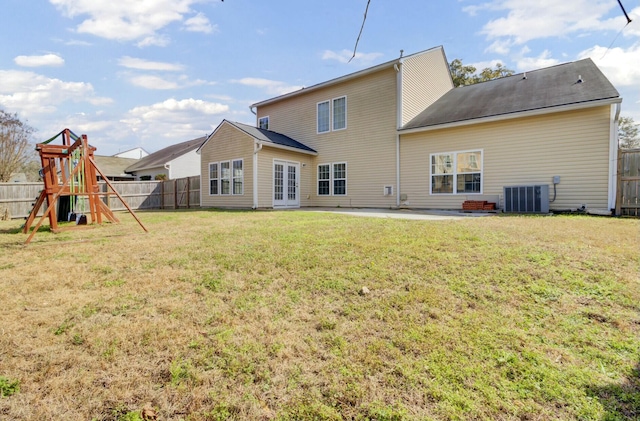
x=14 y=144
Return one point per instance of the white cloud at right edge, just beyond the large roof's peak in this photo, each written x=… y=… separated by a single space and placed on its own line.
x=620 y=66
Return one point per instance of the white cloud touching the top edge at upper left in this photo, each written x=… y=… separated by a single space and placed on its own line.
x=129 y=20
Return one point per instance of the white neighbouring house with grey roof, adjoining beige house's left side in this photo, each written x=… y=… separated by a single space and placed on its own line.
x=175 y=161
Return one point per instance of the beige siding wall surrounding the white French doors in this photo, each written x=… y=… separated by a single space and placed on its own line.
x=265 y=170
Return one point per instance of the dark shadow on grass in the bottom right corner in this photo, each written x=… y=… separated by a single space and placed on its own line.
x=620 y=401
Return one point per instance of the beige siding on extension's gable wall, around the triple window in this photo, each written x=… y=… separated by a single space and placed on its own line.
x=228 y=144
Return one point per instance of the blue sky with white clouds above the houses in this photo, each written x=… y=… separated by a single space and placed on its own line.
x=152 y=73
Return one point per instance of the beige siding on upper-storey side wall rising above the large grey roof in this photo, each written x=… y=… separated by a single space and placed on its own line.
x=425 y=78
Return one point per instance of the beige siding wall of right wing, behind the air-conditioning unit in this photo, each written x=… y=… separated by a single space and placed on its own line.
x=525 y=151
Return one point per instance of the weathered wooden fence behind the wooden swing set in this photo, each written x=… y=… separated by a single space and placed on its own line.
x=181 y=193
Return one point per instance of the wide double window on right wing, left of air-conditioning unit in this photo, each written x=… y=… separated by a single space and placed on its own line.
x=456 y=172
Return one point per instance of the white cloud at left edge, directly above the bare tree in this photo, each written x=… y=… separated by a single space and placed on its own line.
x=32 y=93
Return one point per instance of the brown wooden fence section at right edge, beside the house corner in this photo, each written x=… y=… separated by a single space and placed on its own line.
x=628 y=199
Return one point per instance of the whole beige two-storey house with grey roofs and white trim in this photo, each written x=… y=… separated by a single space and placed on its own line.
x=399 y=135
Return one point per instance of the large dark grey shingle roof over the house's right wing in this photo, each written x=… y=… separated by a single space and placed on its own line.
x=577 y=82
